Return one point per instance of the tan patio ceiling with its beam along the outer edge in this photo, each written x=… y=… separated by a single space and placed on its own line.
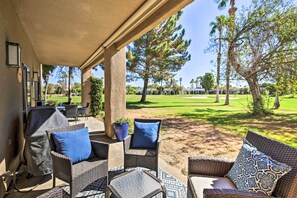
x=75 y=32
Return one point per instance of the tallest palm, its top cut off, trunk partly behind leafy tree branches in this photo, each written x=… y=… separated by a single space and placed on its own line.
x=232 y=10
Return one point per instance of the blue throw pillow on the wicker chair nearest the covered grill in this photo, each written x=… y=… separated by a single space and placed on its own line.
x=74 y=144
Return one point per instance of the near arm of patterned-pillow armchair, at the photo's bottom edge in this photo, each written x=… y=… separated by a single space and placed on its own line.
x=231 y=193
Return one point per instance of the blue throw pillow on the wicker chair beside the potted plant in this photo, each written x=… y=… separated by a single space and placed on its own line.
x=145 y=135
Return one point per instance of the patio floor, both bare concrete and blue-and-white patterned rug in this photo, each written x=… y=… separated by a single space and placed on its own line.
x=42 y=184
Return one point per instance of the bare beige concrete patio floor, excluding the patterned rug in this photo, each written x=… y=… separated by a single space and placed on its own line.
x=96 y=129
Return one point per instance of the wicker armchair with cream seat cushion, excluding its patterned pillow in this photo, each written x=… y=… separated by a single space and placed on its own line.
x=208 y=169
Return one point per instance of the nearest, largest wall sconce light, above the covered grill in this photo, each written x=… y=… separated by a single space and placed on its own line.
x=13 y=54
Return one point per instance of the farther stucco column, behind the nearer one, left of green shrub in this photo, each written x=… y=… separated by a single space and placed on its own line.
x=86 y=74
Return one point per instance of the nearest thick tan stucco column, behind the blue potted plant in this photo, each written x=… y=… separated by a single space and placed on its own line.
x=114 y=86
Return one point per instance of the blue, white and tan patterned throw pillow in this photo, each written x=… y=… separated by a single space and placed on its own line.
x=255 y=171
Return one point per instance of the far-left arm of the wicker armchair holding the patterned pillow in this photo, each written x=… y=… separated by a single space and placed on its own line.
x=208 y=166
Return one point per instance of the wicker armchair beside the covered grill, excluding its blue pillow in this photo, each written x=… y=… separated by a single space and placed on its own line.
x=81 y=174
